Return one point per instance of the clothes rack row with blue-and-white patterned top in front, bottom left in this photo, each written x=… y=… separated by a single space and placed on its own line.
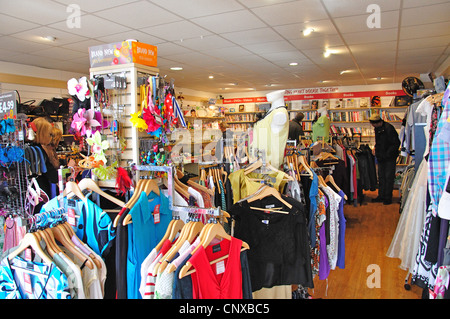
x=58 y=266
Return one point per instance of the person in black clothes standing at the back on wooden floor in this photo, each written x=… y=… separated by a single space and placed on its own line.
x=387 y=146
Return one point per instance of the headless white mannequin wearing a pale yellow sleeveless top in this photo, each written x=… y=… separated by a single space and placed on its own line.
x=270 y=133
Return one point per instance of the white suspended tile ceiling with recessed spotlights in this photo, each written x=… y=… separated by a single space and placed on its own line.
x=244 y=44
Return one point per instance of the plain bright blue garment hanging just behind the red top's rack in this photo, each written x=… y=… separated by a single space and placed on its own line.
x=144 y=235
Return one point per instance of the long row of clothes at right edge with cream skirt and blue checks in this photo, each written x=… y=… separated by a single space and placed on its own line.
x=421 y=236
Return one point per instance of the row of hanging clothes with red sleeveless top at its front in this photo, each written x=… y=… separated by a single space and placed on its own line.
x=197 y=261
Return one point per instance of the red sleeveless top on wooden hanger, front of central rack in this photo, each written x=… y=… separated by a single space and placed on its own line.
x=222 y=280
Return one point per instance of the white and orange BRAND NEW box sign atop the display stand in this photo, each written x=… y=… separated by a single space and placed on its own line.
x=122 y=53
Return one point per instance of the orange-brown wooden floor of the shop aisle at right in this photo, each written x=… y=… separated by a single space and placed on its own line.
x=369 y=232
